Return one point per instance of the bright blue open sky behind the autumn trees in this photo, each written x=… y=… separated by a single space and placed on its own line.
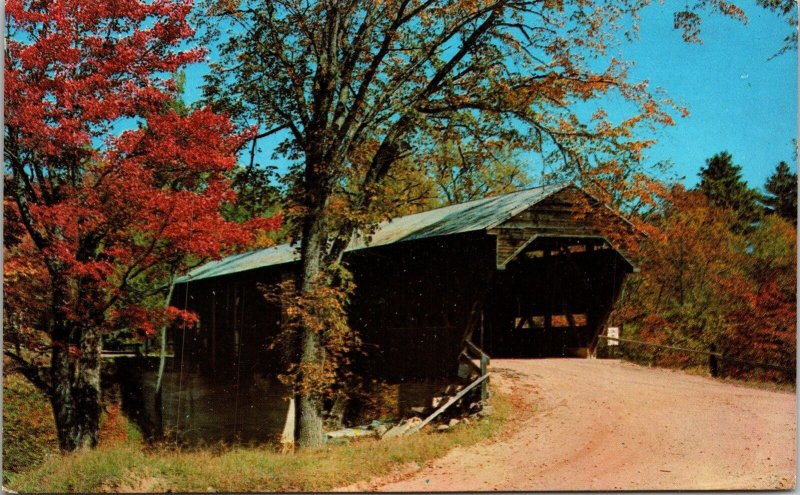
x=739 y=100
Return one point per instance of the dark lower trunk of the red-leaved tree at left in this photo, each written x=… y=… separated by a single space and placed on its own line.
x=76 y=386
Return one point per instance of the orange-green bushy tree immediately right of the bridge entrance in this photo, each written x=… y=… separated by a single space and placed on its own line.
x=678 y=296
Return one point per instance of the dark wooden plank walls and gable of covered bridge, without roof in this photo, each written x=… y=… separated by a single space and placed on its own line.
x=415 y=302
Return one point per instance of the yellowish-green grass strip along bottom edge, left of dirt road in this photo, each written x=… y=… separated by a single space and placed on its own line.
x=126 y=465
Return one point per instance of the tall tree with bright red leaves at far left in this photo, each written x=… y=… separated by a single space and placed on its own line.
x=95 y=219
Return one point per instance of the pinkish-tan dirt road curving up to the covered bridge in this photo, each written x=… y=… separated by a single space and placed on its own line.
x=610 y=425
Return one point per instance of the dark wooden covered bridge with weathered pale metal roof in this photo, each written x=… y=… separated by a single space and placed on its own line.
x=532 y=273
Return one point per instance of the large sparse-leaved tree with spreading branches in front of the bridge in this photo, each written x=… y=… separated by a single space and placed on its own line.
x=360 y=82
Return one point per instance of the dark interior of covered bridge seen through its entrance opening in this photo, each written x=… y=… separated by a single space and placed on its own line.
x=552 y=299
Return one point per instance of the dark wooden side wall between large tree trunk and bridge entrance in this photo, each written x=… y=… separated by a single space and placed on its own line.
x=414 y=301
